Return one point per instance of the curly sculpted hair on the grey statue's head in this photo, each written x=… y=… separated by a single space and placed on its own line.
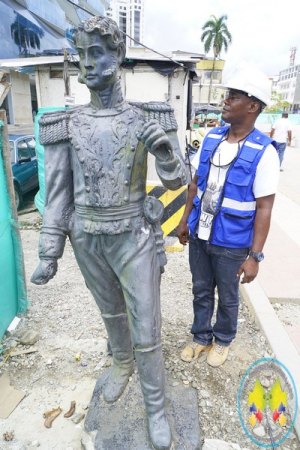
x=104 y=26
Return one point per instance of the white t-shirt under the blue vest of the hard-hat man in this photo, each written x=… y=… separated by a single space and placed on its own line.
x=265 y=182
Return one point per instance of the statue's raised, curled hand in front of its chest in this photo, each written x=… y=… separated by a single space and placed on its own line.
x=155 y=140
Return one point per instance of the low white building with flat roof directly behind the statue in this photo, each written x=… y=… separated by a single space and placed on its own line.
x=145 y=77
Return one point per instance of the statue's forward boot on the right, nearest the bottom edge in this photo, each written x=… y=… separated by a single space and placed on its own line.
x=152 y=377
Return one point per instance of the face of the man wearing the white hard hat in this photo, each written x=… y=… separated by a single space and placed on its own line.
x=236 y=107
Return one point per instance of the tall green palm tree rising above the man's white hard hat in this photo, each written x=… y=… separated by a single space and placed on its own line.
x=216 y=36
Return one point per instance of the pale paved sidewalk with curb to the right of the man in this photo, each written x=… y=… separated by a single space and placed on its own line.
x=278 y=280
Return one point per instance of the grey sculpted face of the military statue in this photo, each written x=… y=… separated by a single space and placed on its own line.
x=98 y=63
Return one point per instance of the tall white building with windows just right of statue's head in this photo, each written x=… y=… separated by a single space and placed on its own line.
x=129 y=15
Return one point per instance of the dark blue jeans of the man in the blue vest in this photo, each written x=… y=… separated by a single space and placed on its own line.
x=214 y=266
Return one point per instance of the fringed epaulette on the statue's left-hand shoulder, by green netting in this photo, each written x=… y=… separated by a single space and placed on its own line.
x=53 y=127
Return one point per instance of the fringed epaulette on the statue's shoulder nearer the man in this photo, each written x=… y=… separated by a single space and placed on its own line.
x=162 y=112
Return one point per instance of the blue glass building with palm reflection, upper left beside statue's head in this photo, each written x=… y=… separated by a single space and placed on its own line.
x=37 y=28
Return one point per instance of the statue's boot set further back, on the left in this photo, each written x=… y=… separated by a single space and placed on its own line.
x=117 y=328
